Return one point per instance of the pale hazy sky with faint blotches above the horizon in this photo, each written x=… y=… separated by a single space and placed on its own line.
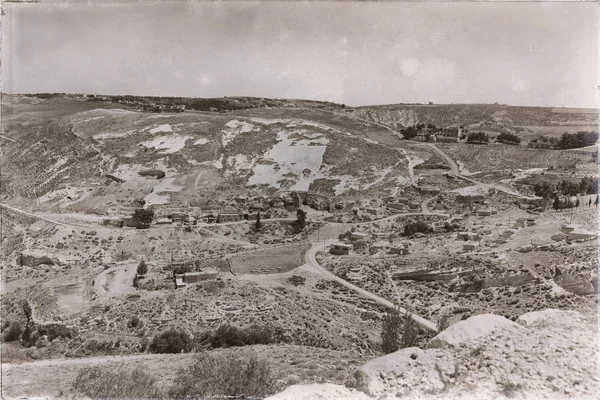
x=538 y=54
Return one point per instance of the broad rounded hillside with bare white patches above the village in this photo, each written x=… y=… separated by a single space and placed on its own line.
x=66 y=147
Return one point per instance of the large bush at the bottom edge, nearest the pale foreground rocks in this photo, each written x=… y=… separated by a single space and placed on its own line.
x=220 y=376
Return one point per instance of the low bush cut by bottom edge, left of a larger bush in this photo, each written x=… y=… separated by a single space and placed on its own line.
x=116 y=383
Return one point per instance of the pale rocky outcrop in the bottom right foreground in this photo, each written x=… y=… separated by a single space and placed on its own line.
x=547 y=354
